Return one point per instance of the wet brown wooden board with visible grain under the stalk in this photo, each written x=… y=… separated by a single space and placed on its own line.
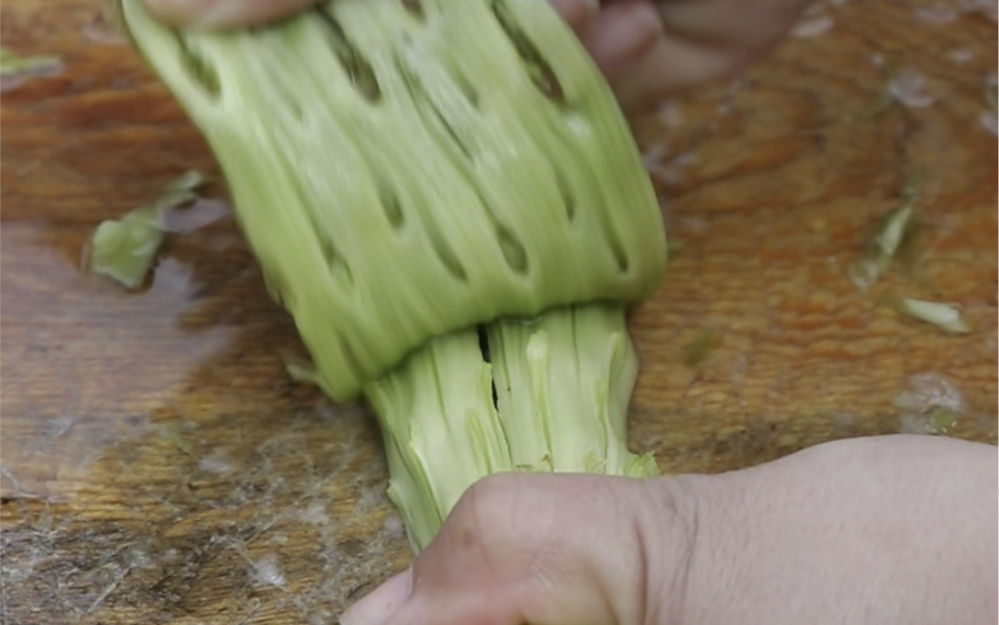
x=158 y=466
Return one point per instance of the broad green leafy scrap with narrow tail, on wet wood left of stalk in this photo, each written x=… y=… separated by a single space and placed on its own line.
x=125 y=249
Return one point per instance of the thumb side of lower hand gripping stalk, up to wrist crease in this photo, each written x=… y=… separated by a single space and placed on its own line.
x=546 y=550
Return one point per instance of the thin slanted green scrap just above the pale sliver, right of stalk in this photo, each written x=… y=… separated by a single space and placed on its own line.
x=889 y=236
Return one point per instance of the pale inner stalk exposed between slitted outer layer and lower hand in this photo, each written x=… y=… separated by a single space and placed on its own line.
x=563 y=383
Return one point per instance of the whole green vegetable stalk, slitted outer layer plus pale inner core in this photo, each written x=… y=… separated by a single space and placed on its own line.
x=446 y=197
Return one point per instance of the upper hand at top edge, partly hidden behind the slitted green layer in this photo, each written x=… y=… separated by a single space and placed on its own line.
x=646 y=49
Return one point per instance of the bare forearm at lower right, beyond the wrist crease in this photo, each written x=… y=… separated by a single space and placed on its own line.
x=897 y=529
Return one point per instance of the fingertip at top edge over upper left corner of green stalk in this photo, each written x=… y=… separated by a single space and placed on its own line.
x=224 y=13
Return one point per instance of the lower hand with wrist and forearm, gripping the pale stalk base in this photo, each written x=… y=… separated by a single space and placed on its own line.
x=895 y=529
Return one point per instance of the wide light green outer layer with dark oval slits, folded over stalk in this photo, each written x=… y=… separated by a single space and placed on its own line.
x=455 y=193
